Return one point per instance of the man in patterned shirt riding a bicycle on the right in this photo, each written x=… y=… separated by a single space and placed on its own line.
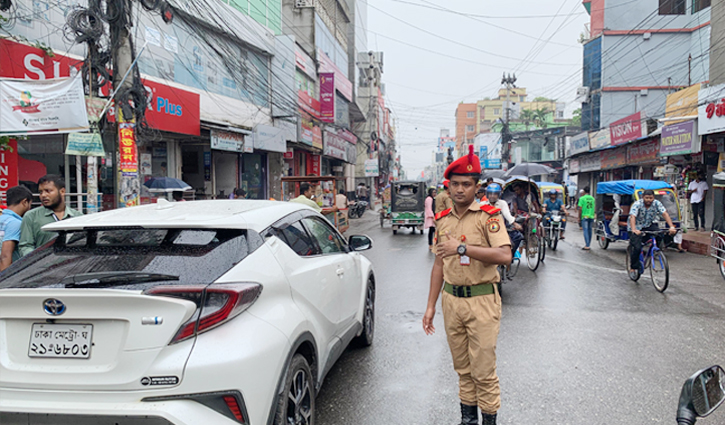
x=642 y=217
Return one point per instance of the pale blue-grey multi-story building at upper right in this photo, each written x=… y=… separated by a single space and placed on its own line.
x=638 y=52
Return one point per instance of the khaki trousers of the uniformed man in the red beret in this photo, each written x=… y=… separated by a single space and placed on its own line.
x=472 y=326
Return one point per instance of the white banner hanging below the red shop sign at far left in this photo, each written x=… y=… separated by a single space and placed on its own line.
x=42 y=107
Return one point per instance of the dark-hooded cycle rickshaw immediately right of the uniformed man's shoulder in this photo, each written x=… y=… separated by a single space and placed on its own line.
x=533 y=241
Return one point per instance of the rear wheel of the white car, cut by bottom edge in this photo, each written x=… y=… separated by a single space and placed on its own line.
x=297 y=402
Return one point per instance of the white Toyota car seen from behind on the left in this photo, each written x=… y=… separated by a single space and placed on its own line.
x=207 y=312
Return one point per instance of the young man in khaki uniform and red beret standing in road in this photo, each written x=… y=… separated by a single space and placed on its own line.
x=471 y=243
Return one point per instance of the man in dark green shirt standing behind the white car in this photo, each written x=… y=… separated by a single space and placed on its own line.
x=52 y=196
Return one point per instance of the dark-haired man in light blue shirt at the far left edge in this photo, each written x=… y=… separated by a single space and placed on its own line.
x=19 y=200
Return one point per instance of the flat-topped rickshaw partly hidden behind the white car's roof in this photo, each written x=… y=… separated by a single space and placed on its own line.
x=325 y=191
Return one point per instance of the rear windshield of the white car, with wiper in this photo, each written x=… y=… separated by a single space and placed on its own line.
x=179 y=256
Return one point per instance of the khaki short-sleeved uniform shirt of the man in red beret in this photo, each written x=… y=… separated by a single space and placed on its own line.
x=480 y=229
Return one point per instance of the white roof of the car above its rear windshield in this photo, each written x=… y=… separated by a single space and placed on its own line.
x=213 y=214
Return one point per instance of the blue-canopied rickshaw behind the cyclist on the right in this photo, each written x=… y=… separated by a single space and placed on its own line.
x=614 y=200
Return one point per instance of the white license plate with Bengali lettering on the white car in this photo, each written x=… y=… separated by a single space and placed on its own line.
x=66 y=341
